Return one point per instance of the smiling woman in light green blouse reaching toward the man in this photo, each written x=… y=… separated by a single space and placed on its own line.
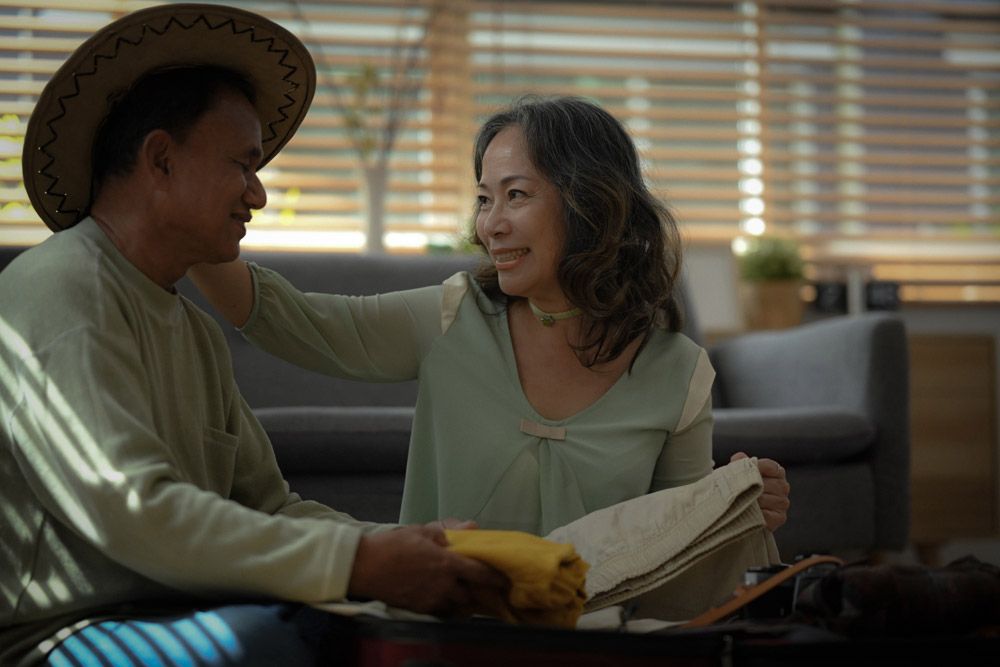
x=555 y=381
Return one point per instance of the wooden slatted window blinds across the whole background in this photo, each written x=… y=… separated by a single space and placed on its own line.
x=868 y=130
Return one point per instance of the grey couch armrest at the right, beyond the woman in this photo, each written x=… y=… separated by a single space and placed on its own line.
x=856 y=363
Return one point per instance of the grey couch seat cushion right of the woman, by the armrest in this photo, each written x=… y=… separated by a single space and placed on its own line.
x=791 y=436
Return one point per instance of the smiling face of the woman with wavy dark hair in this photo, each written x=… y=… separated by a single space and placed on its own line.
x=520 y=222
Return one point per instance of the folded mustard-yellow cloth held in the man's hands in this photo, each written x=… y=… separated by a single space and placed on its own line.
x=546 y=578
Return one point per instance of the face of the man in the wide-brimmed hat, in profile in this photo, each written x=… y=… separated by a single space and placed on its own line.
x=216 y=184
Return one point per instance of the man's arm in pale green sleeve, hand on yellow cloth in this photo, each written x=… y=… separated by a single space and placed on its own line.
x=112 y=483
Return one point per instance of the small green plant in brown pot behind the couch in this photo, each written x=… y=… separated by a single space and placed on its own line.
x=771 y=278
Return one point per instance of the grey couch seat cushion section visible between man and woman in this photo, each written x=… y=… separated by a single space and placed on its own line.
x=338 y=441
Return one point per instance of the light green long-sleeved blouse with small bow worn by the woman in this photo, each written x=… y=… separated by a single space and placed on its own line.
x=478 y=449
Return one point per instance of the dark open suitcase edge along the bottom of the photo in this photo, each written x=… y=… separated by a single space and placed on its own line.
x=374 y=642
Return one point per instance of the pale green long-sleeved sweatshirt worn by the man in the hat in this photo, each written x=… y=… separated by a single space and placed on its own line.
x=131 y=470
